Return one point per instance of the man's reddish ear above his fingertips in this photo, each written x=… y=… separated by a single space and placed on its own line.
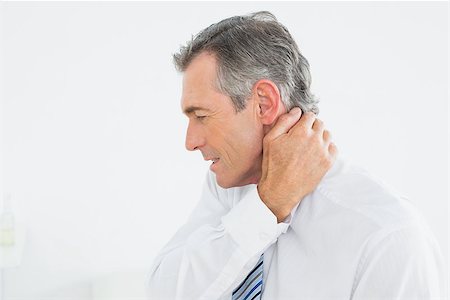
x=268 y=98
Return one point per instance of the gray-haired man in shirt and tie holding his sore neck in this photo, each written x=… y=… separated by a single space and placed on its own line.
x=279 y=216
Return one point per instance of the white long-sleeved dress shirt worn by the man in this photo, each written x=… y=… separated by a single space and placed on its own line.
x=351 y=238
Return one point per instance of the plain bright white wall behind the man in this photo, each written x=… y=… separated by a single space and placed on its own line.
x=93 y=135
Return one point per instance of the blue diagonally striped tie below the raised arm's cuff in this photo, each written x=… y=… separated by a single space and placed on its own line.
x=251 y=287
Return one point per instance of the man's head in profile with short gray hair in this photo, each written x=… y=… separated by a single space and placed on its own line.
x=224 y=66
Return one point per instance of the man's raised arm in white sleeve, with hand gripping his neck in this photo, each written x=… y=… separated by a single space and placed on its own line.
x=220 y=244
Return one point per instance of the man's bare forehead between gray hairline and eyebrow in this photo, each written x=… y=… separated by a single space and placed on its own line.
x=199 y=87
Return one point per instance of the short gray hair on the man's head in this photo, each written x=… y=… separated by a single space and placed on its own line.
x=250 y=48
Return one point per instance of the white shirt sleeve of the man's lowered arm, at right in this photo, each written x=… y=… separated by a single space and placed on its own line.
x=404 y=264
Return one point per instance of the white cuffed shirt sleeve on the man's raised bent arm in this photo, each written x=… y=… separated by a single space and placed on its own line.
x=216 y=248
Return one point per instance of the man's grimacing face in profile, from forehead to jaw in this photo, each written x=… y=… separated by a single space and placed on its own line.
x=235 y=139
